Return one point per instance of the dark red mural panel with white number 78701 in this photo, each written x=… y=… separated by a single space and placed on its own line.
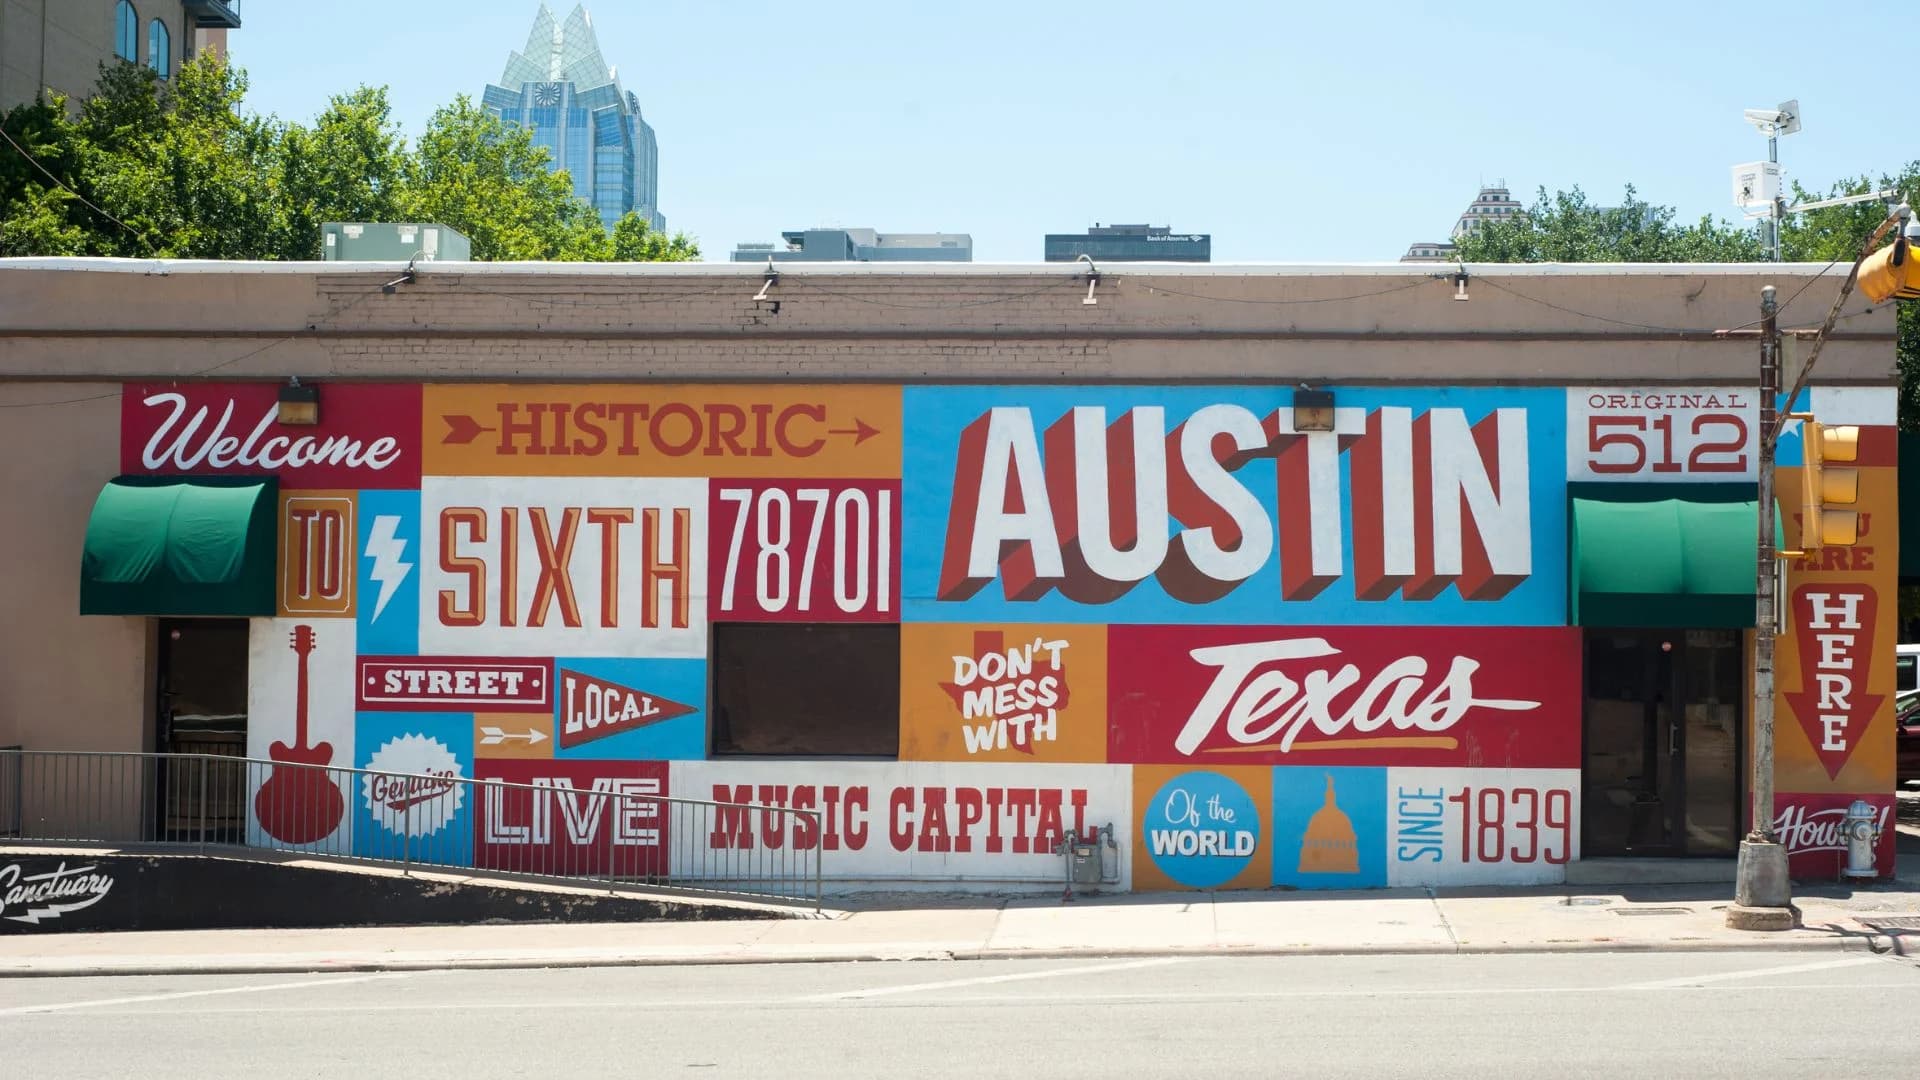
x=804 y=552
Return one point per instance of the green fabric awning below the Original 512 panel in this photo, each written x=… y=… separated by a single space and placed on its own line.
x=1664 y=554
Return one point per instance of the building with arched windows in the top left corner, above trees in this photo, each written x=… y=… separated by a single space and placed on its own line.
x=60 y=45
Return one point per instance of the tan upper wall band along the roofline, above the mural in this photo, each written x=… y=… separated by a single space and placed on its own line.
x=915 y=324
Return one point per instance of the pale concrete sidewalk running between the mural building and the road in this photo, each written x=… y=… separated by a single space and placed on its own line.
x=971 y=927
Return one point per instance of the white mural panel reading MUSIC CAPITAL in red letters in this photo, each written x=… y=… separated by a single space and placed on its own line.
x=926 y=822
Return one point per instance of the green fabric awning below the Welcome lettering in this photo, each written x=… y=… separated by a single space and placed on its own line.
x=181 y=547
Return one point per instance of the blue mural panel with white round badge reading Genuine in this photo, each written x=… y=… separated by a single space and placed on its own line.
x=418 y=820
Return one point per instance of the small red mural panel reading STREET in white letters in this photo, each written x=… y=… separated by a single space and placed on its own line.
x=452 y=685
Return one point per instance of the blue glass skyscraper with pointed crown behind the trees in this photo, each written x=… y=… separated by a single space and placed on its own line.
x=564 y=91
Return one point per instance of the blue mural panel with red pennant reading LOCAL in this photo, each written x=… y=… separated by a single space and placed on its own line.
x=631 y=710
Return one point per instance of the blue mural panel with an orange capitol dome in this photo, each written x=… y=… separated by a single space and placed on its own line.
x=1330 y=827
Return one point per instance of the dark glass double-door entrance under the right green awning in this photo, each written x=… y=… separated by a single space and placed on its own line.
x=1664 y=737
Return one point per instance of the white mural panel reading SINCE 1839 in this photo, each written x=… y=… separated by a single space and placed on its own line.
x=1451 y=827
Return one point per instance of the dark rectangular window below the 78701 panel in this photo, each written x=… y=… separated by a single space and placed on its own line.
x=805 y=689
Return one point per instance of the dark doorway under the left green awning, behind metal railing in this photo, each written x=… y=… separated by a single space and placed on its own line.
x=201 y=702
